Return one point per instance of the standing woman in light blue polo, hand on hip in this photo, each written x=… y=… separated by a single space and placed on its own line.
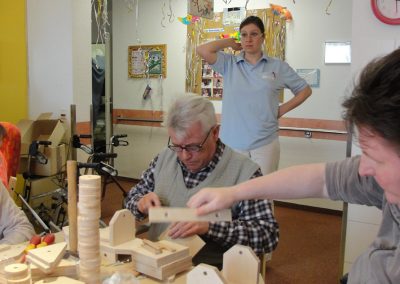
x=250 y=104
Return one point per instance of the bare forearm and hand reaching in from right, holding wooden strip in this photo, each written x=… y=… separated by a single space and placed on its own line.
x=295 y=182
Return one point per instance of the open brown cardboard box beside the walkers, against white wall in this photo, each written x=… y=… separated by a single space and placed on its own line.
x=43 y=129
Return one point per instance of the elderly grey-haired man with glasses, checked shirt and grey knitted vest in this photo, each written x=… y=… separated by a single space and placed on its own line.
x=196 y=158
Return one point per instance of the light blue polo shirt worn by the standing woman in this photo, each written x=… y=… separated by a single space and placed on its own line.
x=251 y=98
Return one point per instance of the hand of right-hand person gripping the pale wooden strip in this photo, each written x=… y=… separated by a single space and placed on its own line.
x=209 y=200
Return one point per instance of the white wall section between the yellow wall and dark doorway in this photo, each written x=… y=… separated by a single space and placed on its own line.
x=59 y=63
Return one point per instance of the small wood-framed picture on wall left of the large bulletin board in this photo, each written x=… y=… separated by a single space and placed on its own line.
x=147 y=61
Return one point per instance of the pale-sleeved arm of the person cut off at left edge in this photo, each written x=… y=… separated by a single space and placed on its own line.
x=15 y=227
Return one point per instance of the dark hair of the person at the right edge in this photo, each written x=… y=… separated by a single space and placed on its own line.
x=375 y=100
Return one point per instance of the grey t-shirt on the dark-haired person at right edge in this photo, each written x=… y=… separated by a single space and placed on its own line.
x=380 y=263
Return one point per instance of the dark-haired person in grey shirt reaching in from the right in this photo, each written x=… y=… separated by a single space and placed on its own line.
x=372 y=179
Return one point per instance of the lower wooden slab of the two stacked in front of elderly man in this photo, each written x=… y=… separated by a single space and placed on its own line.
x=165 y=271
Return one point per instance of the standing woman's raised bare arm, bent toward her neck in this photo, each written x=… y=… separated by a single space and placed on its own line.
x=208 y=51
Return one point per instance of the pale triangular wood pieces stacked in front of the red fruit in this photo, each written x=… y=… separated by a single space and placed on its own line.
x=48 y=257
